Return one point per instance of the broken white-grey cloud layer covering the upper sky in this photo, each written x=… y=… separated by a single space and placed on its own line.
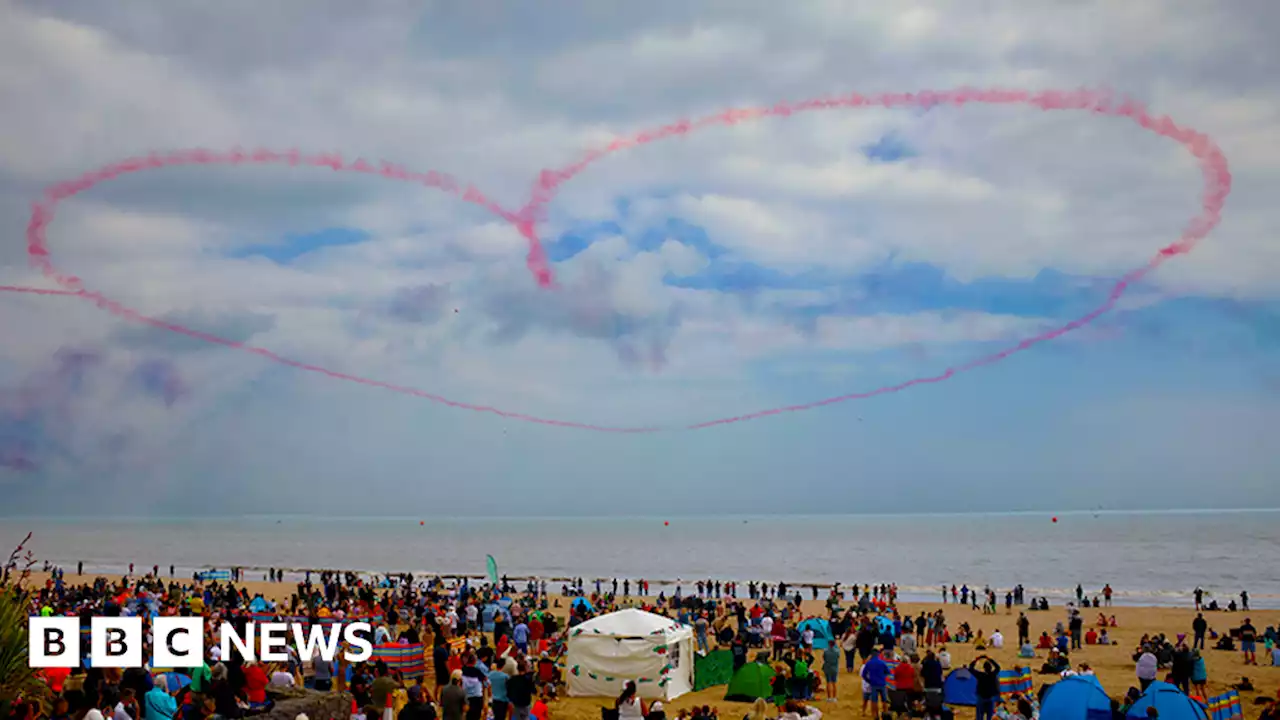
x=991 y=193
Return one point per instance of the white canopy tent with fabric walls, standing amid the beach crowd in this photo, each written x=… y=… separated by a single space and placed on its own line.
x=630 y=645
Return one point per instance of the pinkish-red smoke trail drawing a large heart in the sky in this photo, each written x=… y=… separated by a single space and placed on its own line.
x=1214 y=167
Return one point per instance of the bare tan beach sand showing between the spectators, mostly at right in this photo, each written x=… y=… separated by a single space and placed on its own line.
x=1114 y=664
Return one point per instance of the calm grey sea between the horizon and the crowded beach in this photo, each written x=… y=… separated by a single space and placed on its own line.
x=1155 y=558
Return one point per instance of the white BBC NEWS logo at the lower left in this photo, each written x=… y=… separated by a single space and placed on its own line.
x=180 y=642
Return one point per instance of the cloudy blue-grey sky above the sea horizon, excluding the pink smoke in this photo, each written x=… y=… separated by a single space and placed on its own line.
x=774 y=263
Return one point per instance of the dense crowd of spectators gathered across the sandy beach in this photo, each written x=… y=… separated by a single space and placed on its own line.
x=504 y=660
